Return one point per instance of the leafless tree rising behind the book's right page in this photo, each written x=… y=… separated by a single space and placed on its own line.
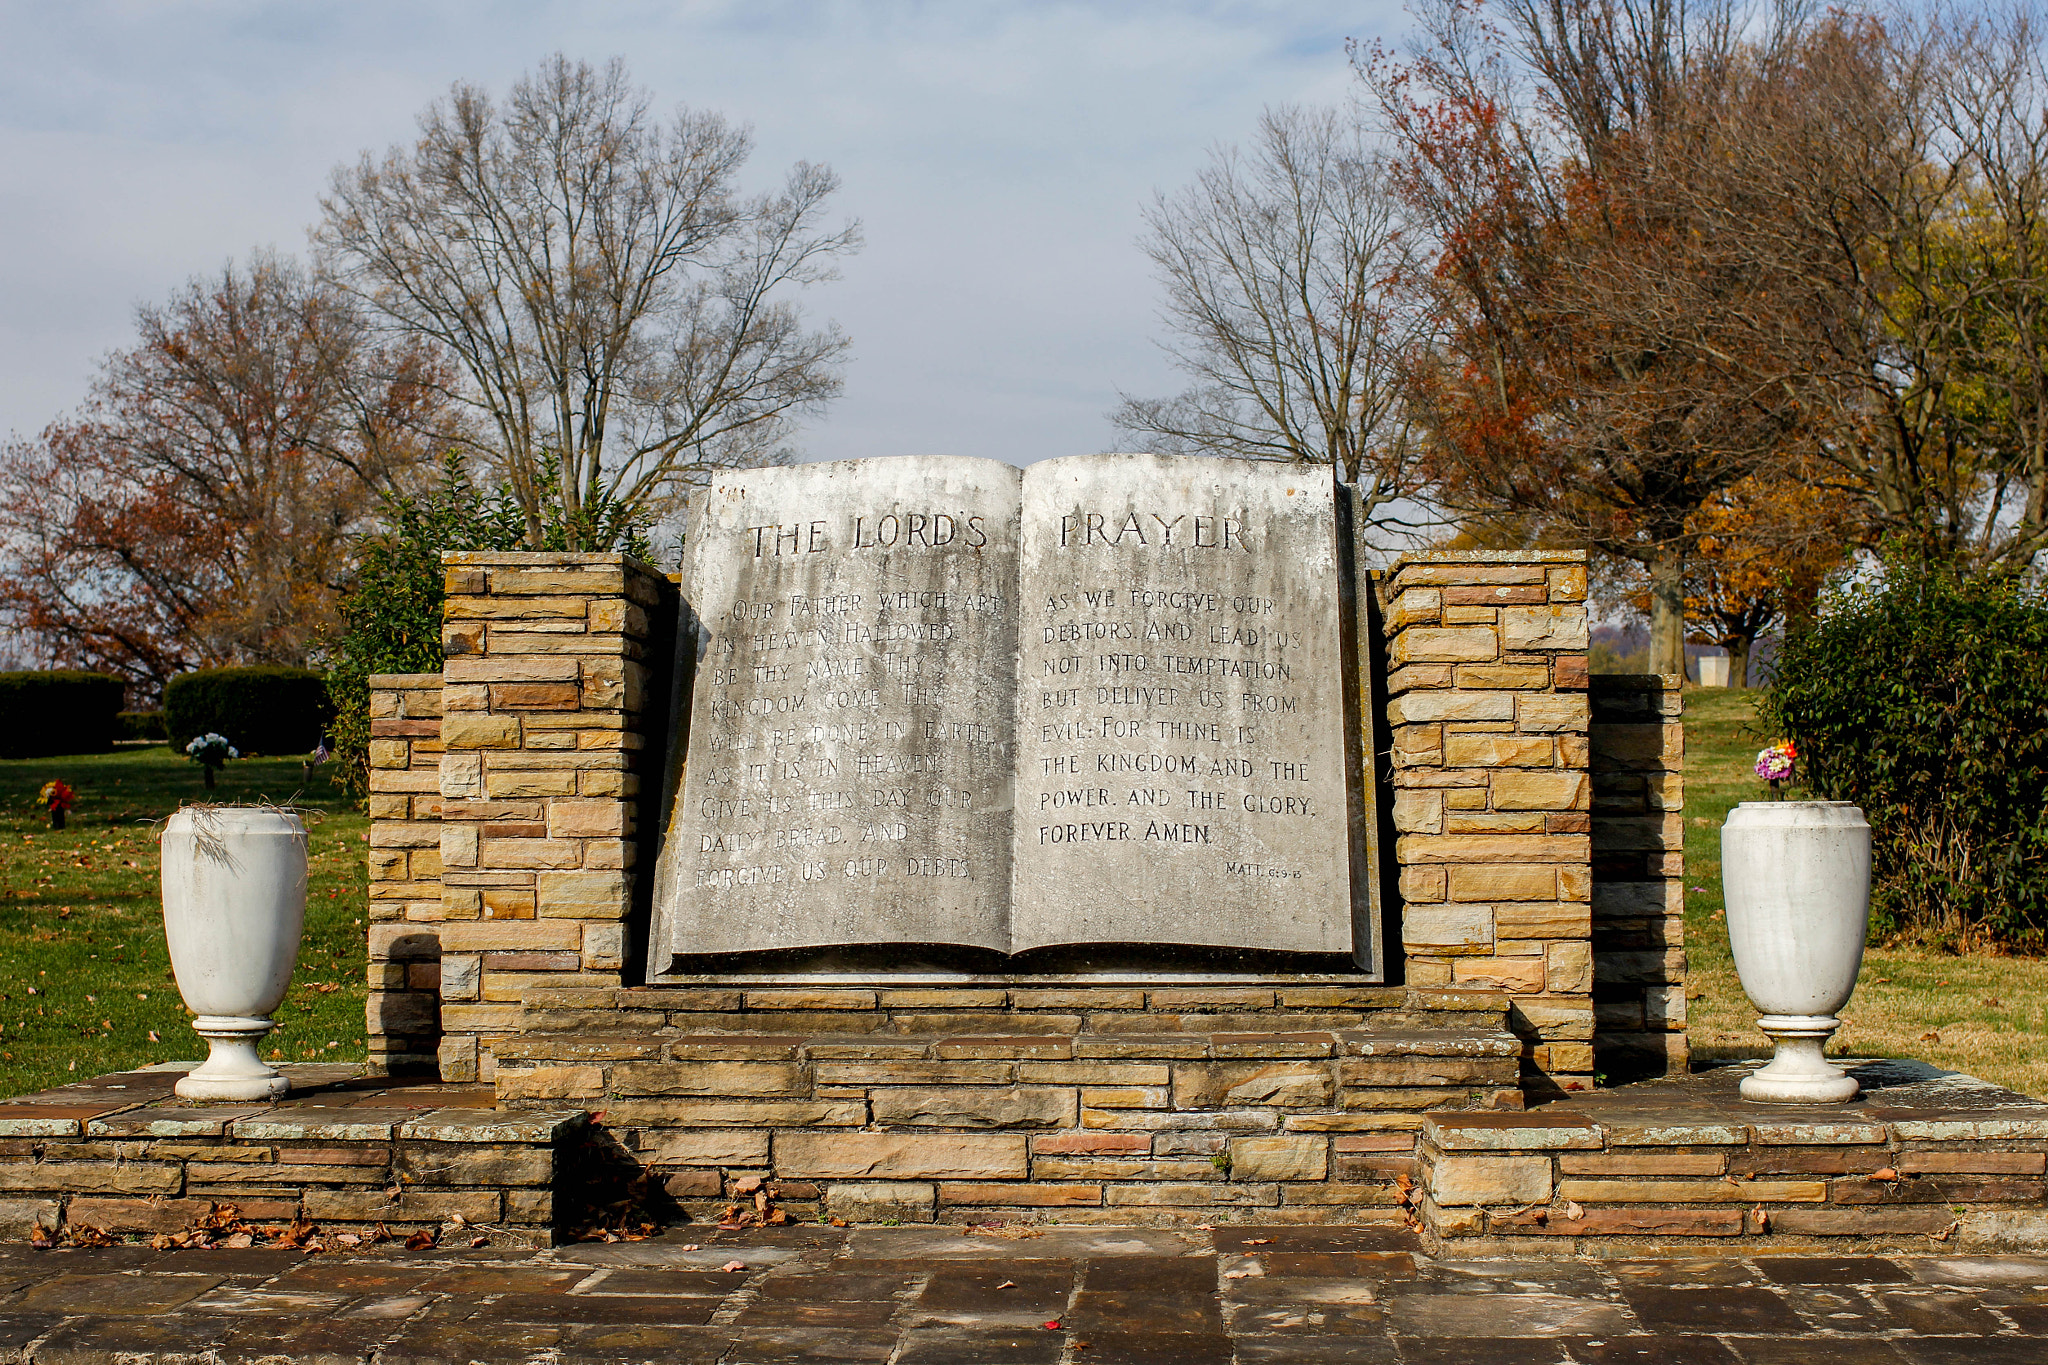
x=1281 y=271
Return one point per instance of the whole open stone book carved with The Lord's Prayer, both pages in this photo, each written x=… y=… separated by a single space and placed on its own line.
x=945 y=701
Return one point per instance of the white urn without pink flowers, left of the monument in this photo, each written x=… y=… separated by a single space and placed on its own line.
x=234 y=906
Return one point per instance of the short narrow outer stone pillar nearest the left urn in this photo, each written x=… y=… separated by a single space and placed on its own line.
x=404 y=1002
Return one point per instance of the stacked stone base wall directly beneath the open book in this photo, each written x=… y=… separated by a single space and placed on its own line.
x=1287 y=1102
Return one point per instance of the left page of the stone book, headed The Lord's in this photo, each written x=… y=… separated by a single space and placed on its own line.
x=851 y=715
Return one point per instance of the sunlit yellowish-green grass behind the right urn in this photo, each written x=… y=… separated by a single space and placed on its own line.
x=1977 y=1014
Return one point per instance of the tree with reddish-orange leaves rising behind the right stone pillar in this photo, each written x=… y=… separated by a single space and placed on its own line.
x=1611 y=359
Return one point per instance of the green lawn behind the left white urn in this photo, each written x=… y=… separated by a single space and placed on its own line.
x=85 y=977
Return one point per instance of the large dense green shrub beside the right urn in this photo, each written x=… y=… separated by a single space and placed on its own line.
x=1924 y=699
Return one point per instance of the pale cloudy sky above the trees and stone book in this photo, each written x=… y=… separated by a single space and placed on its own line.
x=998 y=157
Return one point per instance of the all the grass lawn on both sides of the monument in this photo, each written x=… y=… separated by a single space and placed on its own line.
x=81 y=926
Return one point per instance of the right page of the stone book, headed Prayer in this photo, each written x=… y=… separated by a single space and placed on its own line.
x=1181 y=707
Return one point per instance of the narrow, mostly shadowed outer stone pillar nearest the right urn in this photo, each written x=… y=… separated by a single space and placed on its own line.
x=1639 y=875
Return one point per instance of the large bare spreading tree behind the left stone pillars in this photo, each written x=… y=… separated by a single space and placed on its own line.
x=615 y=304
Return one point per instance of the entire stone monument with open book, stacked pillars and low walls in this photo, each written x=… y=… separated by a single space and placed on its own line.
x=1101 y=842
